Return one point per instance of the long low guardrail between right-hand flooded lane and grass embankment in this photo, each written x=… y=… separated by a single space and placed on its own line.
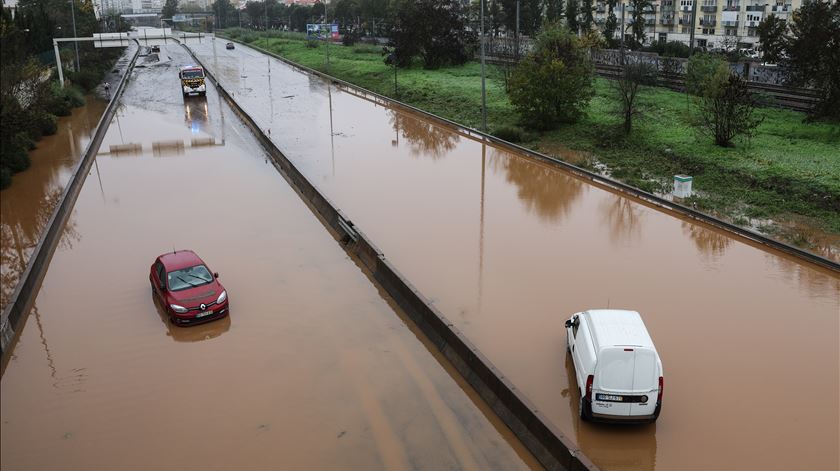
x=604 y=182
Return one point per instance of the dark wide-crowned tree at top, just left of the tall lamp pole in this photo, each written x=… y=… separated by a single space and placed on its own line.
x=435 y=31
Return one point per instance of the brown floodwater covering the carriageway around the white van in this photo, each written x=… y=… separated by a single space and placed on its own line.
x=508 y=247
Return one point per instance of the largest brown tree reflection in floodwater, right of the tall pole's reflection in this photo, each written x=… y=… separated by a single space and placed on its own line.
x=543 y=190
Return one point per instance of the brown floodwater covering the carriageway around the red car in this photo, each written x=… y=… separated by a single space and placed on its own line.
x=313 y=369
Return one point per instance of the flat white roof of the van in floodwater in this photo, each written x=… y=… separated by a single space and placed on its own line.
x=616 y=327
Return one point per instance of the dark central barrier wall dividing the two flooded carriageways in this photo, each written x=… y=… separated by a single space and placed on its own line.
x=552 y=449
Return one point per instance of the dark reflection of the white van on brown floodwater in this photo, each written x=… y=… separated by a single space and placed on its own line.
x=612 y=446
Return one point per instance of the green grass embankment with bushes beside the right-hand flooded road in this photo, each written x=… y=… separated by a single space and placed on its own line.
x=788 y=170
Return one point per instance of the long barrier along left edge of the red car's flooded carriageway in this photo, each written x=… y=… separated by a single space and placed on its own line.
x=30 y=282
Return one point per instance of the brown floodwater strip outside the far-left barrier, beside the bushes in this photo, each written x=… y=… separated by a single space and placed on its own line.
x=27 y=205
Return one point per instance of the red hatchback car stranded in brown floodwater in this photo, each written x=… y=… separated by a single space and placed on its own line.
x=187 y=289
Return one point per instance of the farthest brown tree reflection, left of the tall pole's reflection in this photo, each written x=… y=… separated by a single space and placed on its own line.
x=425 y=138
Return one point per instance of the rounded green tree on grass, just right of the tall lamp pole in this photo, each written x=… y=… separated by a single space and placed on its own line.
x=553 y=83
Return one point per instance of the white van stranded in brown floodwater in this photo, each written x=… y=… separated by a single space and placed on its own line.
x=618 y=370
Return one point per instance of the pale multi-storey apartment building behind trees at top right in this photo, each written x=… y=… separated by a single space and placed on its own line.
x=719 y=23
